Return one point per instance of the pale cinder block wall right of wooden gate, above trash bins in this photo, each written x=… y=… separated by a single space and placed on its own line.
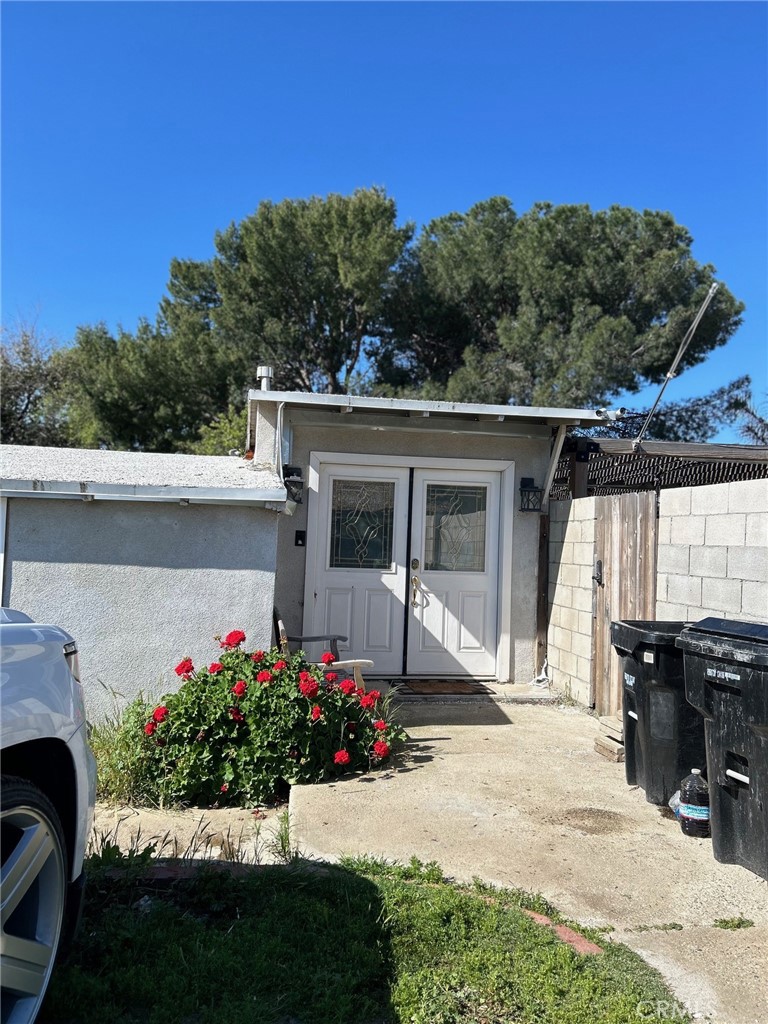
x=713 y=552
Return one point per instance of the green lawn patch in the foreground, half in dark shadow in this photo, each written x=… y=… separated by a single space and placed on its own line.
x=364 y=943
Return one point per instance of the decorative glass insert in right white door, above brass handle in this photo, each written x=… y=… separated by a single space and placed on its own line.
x=455 y=529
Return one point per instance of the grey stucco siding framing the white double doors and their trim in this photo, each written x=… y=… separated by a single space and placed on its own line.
x=531 y=457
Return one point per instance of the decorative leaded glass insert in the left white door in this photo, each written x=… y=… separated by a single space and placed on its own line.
x=362 y=525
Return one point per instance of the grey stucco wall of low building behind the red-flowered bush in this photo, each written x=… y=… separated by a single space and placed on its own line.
x=140 y=585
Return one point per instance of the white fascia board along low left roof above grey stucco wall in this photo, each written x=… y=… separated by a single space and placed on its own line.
x=88 y=491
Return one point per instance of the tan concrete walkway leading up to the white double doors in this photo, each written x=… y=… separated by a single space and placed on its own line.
x=516 y=795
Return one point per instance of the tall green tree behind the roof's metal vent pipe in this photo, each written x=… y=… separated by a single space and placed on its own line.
x=300 y=285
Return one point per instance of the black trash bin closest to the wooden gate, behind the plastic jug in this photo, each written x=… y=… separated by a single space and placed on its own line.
x=664 y=736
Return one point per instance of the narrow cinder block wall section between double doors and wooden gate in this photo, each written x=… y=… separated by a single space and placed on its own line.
x=571 y=590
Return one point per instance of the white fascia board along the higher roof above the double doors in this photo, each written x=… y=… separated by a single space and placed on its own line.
x=351 y=403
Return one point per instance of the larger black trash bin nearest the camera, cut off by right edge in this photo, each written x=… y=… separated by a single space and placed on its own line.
x=727 y=677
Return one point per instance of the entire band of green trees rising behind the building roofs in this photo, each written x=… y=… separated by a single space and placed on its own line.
x=562 y=306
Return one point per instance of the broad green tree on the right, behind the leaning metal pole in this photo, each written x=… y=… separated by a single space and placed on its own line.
x=563 y=306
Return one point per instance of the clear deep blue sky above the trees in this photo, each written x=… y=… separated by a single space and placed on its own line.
x=132 y=133
